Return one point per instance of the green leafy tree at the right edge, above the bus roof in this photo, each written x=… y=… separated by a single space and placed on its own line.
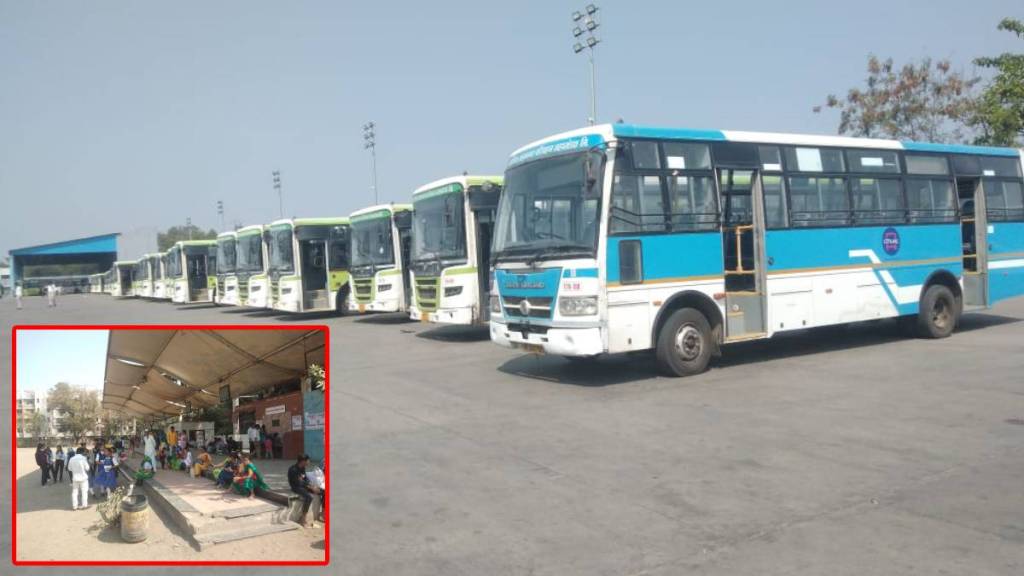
x=1000 y=111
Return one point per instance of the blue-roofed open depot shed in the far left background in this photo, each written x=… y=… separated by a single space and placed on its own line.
x=68 y=260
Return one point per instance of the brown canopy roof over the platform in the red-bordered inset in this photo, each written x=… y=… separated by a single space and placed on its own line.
x=159 y=375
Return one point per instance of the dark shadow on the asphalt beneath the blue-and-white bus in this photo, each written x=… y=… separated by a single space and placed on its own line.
x=620 y=369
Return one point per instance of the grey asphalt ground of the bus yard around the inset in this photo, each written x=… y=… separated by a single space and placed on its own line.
x=850 y=450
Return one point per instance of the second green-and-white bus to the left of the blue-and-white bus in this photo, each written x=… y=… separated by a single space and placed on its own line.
x=379 y=249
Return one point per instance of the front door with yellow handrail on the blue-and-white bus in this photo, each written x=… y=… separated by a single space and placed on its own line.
x=743 y=250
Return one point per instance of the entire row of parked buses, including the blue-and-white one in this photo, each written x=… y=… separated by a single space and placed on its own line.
x=623 y=238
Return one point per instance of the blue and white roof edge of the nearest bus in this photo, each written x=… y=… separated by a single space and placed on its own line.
x=595 y=136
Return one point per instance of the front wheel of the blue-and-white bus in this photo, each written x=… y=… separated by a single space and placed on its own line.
x=685 y=344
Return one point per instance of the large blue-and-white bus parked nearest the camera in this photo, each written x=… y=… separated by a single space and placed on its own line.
x=622 y=238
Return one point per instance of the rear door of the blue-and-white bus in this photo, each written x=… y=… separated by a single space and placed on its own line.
x=974 y=226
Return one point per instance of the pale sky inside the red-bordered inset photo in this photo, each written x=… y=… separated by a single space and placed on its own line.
x=49 y=357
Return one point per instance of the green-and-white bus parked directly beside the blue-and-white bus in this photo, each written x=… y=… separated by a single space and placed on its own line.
x=453 y=221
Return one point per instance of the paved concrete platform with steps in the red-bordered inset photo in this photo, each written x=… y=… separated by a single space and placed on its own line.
x=211 y=516
